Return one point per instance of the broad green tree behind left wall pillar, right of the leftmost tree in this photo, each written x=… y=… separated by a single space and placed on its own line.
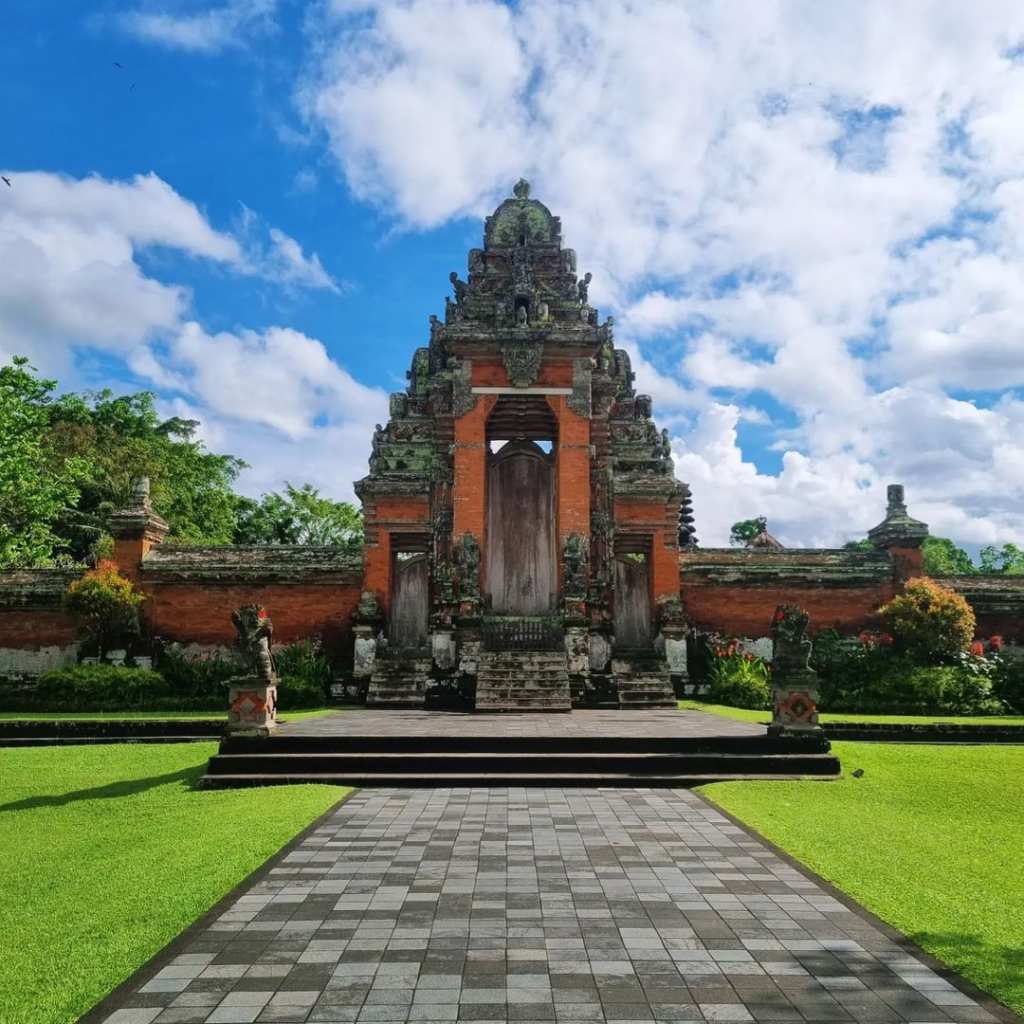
x=123 y=439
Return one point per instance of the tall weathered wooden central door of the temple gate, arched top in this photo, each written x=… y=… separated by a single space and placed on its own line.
x=522 y=567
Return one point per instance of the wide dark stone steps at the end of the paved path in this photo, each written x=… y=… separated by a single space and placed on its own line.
x=514 y=760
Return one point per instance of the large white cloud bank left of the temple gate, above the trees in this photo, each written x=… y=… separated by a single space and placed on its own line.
x=73 y=284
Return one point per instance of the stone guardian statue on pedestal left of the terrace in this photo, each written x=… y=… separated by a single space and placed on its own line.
x=252 y=699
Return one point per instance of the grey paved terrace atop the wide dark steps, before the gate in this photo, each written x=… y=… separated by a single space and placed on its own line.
x=630 y=724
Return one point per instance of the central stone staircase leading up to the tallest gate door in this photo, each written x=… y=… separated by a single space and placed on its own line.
x=523 y=680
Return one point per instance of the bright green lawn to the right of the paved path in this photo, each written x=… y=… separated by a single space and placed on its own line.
x=930 y=840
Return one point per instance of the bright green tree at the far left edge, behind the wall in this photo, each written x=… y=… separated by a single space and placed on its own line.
x=36 y=489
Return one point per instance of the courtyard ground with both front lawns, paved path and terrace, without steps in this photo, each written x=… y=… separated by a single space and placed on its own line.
x=534 y=903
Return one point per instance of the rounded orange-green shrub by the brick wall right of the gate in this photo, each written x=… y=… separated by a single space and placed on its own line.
x=929 y=623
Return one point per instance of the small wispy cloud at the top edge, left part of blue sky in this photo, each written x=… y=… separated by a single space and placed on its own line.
x=208 y=31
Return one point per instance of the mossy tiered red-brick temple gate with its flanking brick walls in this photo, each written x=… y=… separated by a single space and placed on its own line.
x=528 y=545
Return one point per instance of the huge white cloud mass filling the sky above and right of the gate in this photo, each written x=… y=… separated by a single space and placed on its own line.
x=820 y=206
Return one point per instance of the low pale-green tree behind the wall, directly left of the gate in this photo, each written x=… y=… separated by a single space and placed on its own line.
x=301 y=516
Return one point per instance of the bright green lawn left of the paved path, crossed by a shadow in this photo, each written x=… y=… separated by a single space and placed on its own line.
x=109 y=854
